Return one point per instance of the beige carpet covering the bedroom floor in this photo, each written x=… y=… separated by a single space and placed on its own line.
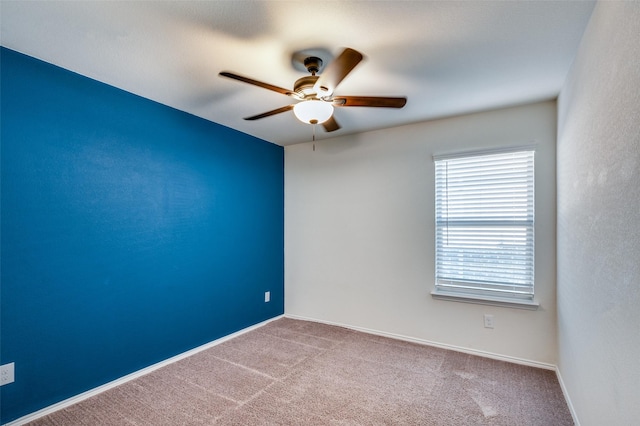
x=293 y=372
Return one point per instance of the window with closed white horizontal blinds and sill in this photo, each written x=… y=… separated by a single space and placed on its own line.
x=485 y=227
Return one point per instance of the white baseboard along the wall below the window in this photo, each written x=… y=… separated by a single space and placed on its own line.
x=485 y=354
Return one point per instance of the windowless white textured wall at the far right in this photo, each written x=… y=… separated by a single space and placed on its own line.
x=599 y=220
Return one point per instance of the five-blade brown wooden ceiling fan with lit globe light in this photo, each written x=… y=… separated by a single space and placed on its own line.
x=315 y=92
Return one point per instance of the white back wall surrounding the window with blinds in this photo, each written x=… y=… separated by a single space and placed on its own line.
x=359 y=232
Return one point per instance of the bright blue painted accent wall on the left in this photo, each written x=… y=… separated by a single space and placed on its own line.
x=131 y=232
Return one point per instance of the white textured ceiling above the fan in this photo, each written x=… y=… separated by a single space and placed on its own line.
x=447 y=57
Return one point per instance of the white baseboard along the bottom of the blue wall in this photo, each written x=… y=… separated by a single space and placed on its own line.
x=95 y=391
